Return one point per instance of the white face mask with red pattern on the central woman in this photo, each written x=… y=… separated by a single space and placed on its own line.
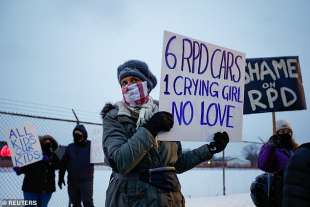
x=135 y=94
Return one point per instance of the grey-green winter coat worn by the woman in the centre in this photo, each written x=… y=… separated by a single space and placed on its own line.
x=130 y=150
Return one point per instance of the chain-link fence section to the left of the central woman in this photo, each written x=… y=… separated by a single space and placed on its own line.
x=61 y=130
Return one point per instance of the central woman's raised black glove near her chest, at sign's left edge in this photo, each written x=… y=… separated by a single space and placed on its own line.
x=161 y=121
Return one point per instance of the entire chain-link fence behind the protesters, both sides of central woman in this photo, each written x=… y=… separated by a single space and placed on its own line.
x=61 y=130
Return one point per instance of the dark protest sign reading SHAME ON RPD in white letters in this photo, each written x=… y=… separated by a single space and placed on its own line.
x=273 y=84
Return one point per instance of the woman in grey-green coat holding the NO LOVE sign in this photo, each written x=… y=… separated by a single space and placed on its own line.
x=144 y=169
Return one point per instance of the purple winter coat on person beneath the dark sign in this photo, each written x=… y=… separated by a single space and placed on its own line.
x=273 y=159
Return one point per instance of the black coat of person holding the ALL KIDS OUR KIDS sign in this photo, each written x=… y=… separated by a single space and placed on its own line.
x=40 y=176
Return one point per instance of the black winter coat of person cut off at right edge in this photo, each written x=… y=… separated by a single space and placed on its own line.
x=296 y=188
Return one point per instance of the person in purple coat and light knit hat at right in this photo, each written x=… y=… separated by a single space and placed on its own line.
x=274 y=156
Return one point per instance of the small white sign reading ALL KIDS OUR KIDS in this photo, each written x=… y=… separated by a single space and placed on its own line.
x=24 y=145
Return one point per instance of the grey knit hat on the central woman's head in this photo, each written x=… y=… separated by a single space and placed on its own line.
x=139 y=69
